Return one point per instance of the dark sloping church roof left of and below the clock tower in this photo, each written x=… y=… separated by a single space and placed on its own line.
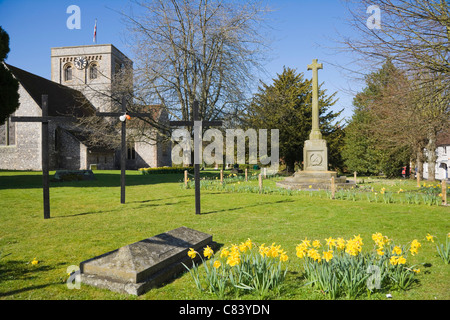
x=62 y=100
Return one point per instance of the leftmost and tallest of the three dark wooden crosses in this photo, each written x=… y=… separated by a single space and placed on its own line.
x=44 y=142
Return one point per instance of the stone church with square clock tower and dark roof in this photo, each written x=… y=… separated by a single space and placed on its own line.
x=81 y=78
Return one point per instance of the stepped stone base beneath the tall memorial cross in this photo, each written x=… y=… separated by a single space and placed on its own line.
x=314 y=180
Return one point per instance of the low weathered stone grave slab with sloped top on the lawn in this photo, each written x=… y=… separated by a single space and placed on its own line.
x=138 y=267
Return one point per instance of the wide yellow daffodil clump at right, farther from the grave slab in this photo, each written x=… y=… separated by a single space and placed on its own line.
x=341 y=268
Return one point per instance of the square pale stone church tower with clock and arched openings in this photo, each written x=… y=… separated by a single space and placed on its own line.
x=93 y=70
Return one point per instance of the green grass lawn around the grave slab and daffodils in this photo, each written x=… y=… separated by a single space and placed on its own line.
x=87 y=219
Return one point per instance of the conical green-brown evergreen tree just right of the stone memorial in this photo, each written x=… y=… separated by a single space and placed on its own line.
x=373 y=143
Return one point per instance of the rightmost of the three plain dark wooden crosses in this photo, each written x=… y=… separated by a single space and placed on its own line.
x=197 y=124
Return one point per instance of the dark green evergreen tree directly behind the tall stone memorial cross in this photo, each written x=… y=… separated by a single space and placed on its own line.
x=286 y=105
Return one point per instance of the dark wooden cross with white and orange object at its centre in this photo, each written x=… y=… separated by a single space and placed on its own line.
x=124 y=115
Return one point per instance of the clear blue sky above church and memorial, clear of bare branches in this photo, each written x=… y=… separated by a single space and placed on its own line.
x=301 y=30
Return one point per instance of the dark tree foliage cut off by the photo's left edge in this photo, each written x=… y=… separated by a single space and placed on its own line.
x=9 y=86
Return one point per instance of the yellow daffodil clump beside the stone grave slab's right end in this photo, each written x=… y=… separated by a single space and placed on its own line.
x=240 y=268
